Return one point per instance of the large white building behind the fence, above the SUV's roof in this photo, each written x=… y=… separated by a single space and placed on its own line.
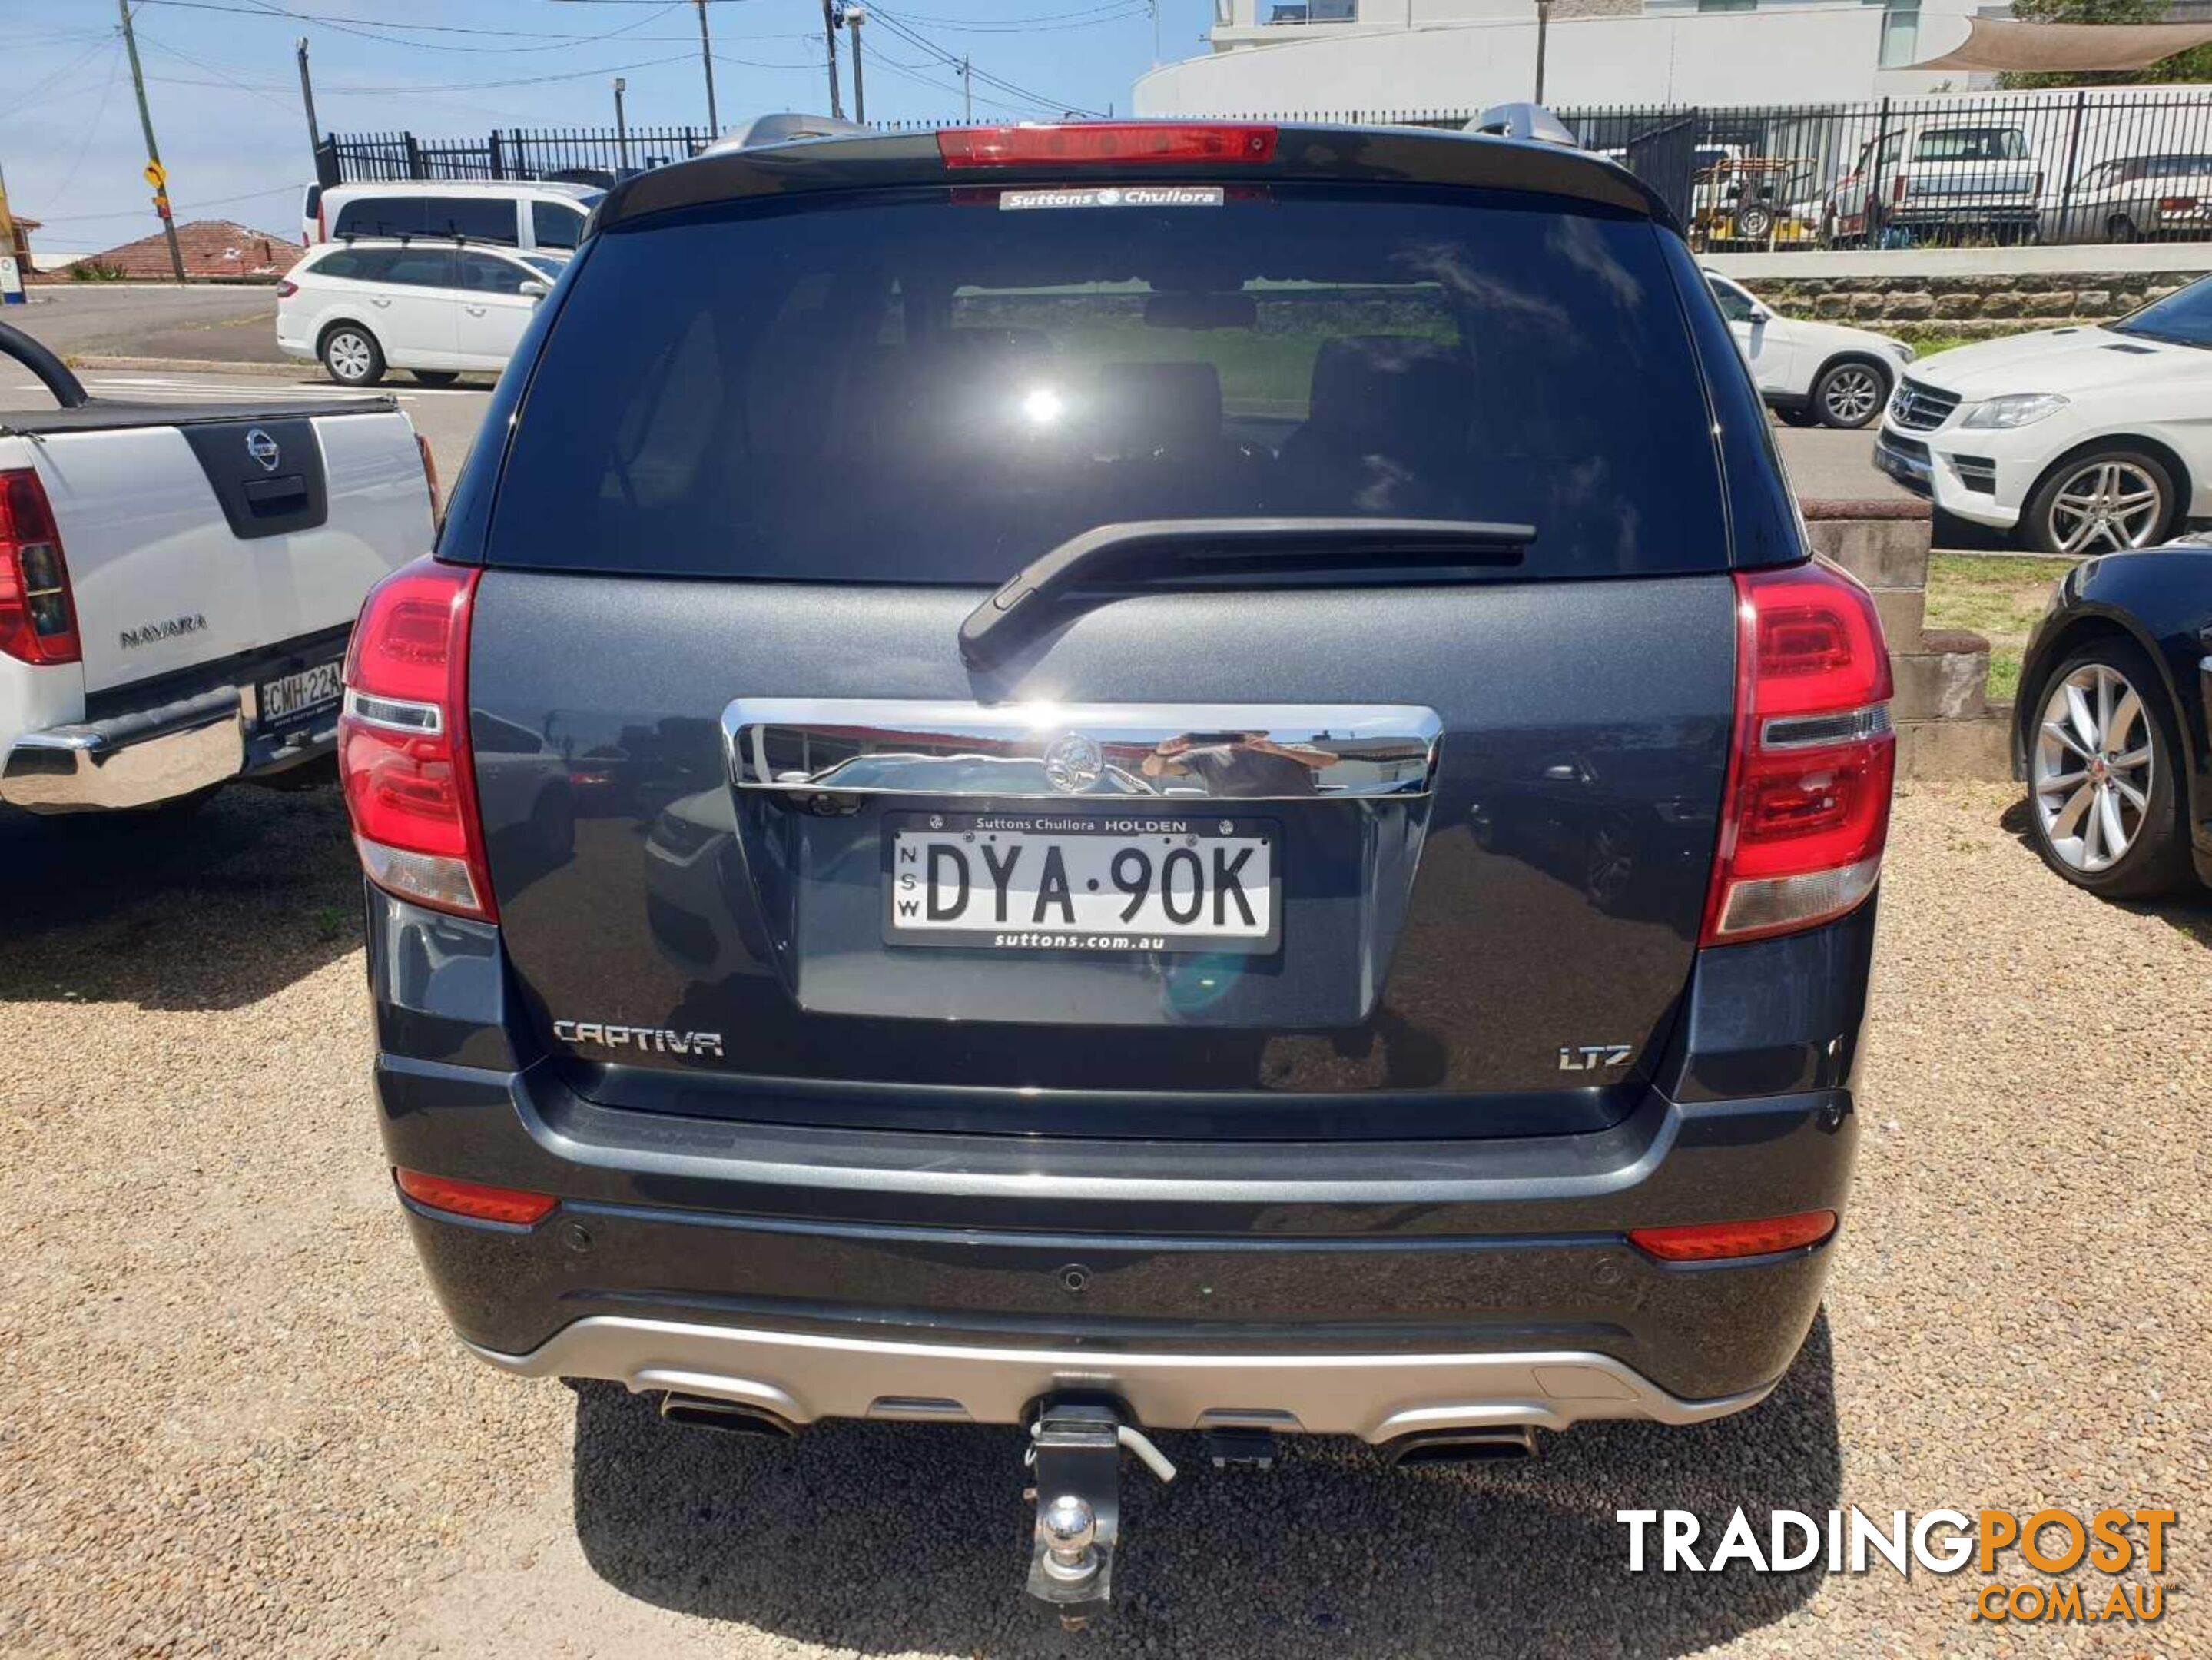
x=1399 y=56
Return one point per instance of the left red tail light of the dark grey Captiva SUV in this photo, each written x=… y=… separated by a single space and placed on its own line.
x=404 y=740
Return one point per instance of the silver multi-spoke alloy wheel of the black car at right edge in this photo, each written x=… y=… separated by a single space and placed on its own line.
x=2091 y=771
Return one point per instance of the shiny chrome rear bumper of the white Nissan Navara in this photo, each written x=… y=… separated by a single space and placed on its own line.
x=129 y=760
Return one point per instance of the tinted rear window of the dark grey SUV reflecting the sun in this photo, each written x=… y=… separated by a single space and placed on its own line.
x=939 y=386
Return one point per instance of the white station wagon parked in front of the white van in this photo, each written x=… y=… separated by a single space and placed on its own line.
x=426 y=307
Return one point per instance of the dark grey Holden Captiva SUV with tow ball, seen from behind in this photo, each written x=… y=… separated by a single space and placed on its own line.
x=1127 y=778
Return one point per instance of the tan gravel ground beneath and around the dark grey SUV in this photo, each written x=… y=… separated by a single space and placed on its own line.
x=231 y=1418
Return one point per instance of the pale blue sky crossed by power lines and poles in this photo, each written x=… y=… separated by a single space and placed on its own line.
x=227 y=110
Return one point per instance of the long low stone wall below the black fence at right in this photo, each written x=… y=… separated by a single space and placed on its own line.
x=1992 y=304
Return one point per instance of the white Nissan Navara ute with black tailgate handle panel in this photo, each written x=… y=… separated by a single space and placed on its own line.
x=178 y=585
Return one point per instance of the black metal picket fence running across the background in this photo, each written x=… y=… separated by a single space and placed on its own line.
x=2076 y=165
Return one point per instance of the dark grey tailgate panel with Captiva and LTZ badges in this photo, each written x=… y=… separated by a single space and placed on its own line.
x=1543 y=898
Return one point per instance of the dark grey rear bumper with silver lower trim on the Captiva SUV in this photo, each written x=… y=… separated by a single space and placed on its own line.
x=1319 y=1285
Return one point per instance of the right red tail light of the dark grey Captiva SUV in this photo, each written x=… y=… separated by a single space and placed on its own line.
x=1806 y=811
